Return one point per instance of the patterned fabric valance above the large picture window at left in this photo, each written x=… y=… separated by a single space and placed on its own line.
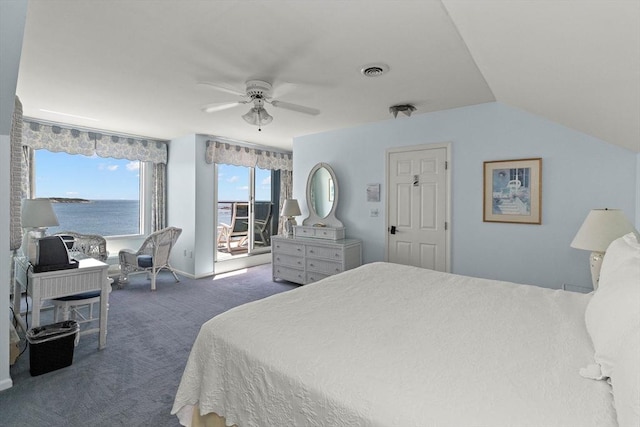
x=73 y=141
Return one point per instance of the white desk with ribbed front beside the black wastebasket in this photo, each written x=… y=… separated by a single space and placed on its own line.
x=91 y=275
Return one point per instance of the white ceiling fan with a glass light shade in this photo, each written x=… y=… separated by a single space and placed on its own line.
x=257 y=92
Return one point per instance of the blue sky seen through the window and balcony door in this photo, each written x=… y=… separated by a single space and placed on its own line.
x=97 y=178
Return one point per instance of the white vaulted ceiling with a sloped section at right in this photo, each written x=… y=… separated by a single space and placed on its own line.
x=134 y=66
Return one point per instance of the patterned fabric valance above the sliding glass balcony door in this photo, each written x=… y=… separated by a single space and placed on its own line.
x=225 y=153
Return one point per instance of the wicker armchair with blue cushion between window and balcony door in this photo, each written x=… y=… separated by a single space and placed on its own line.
x=152 y=256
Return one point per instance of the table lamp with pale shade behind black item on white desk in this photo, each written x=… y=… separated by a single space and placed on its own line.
x=37 y=215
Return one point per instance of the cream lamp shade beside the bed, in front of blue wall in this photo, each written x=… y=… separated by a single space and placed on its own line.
x=600 y=228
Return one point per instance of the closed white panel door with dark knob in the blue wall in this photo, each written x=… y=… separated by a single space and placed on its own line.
x=417 y=202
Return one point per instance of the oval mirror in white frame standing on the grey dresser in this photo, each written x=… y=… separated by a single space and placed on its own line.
x=322 y=196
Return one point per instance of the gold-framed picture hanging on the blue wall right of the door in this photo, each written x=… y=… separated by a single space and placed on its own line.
x=512 y=191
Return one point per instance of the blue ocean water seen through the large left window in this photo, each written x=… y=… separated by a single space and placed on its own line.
x=102 y=217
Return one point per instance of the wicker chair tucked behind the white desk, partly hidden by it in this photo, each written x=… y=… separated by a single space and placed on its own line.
x=80 y=307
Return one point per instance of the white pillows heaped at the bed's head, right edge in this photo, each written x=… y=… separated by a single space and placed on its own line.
x=613 y=322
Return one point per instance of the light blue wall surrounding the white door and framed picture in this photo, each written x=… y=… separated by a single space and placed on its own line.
x=579 y=173
